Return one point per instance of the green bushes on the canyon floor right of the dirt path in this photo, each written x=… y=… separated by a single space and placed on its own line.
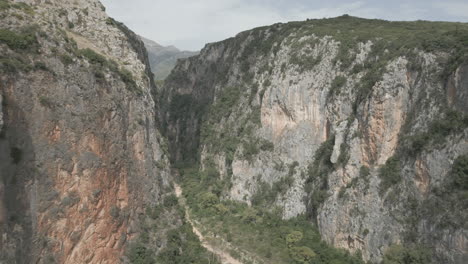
x=276 y=240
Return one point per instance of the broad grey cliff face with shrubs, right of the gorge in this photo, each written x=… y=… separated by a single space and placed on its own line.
x=359 y=124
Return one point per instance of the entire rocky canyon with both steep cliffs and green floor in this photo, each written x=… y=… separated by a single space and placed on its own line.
x=355 y=128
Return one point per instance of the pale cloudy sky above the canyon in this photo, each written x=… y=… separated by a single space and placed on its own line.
x=190 y=24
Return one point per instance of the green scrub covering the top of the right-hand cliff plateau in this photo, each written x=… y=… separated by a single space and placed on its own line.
x=389 y=41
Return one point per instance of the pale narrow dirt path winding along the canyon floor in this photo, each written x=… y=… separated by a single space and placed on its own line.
x=225 y=257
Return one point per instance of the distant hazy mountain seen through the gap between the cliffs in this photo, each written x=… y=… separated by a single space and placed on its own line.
x=163 y=59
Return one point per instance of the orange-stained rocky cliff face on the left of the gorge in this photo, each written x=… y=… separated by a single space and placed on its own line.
x=80 y=156
